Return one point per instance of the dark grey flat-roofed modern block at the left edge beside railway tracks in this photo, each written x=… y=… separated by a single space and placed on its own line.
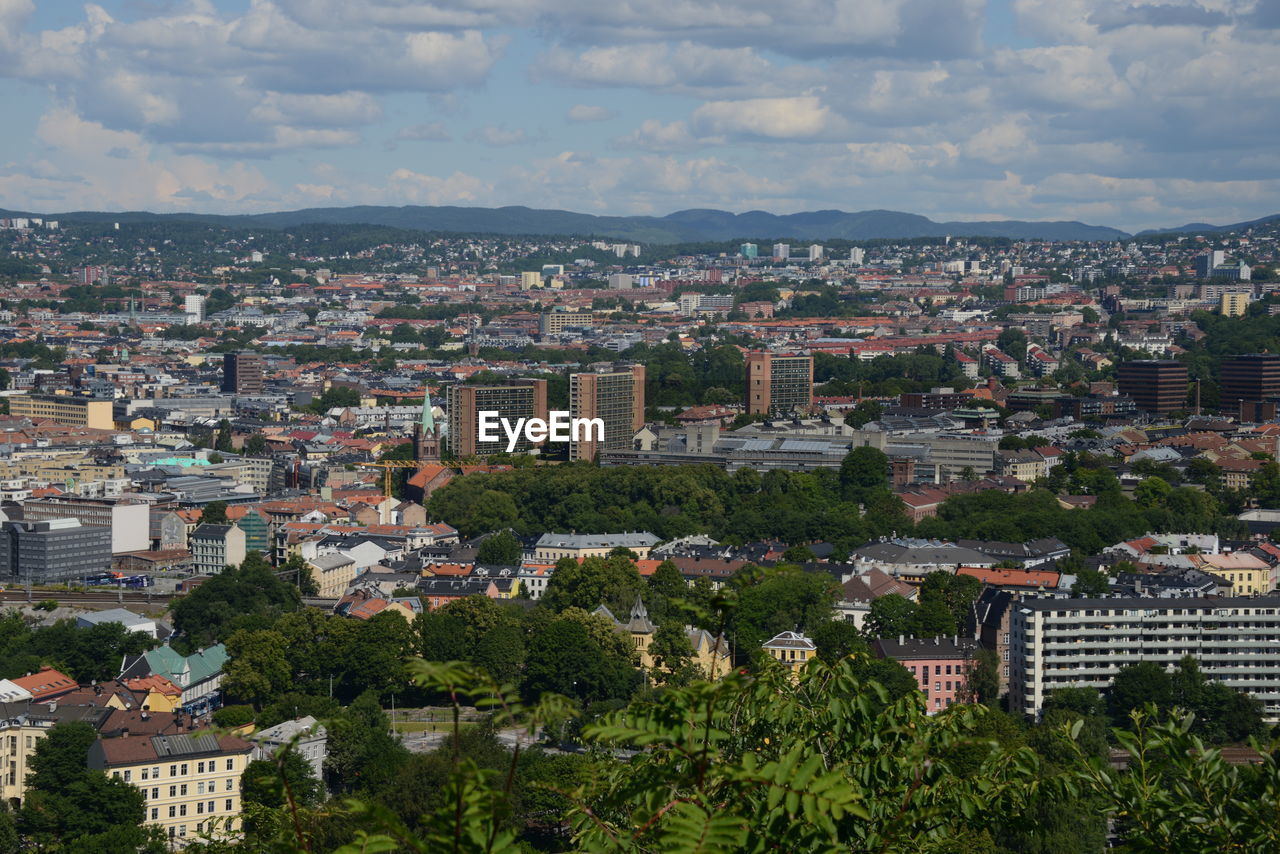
x=53 y=551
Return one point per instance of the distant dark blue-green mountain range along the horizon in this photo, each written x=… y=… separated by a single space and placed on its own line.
x=682 y=227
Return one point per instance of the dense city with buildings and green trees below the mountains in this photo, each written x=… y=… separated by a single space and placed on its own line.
x=932 y=545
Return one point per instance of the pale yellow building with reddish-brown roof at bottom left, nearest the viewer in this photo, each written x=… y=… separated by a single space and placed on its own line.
x=191 y=783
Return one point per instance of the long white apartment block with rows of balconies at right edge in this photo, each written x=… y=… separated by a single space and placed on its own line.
x=1084 y=643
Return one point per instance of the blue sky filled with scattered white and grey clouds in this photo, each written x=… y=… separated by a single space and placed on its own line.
x=1126 y=113
